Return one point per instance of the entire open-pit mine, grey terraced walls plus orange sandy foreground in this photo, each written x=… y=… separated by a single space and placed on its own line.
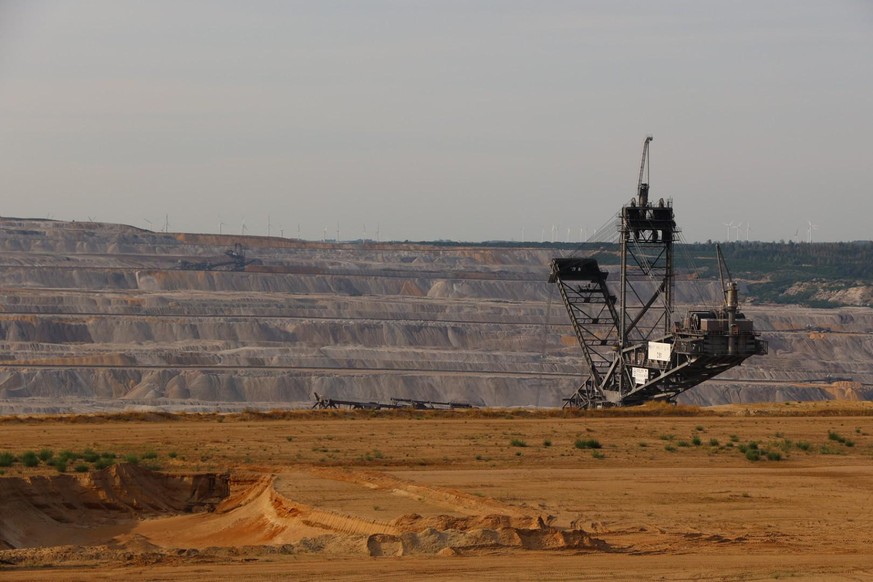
x=155 y=392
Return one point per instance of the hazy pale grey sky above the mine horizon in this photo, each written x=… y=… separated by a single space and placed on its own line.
x=439 y=120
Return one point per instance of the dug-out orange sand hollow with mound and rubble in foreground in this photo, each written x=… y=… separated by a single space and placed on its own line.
x=131 y=508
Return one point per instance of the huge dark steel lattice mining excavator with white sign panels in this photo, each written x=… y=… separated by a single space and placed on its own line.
x=634 y=351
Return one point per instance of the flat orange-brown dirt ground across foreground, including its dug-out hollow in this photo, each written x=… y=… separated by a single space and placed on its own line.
x=670 y=494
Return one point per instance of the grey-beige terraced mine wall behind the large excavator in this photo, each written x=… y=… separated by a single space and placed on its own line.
x=103 y=317
